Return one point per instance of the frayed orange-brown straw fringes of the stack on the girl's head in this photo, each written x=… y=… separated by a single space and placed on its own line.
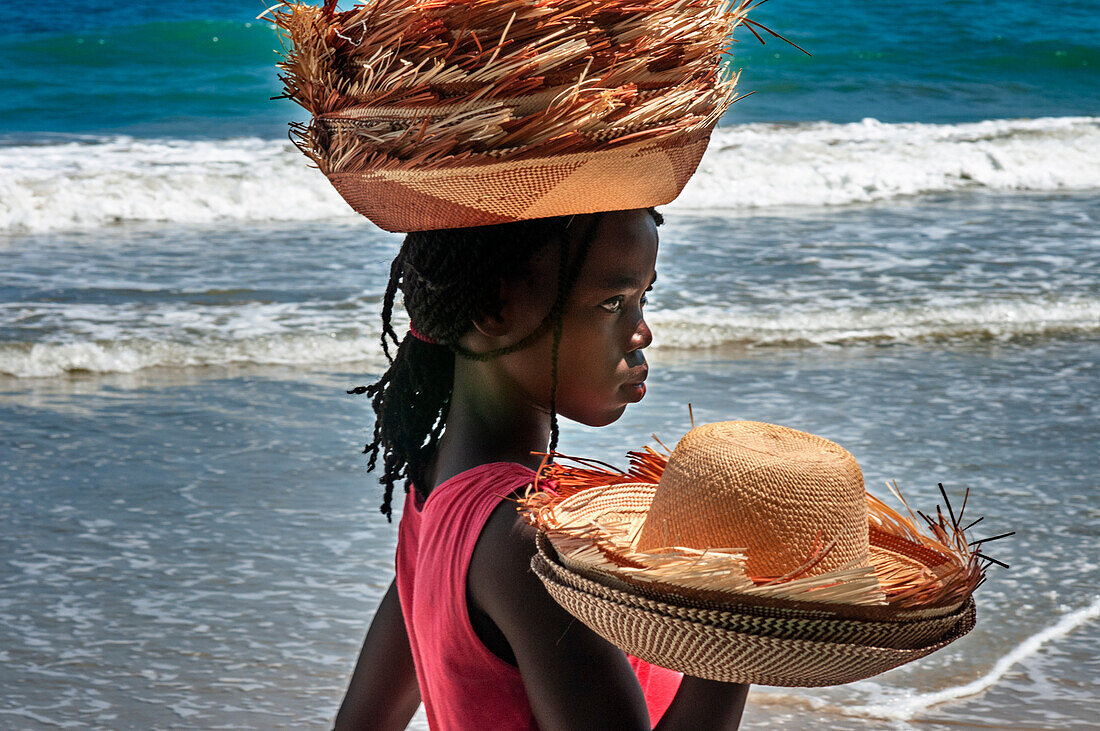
x=395 y=71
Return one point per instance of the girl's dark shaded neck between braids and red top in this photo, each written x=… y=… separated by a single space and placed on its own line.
x=490 y=420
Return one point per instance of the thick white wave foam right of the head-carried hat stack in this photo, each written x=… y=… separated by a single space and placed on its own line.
x=761 y=165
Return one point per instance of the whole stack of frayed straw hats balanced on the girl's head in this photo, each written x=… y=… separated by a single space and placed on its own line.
x=448 y=114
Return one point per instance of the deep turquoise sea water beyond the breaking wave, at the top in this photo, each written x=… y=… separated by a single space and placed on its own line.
x=205 y=69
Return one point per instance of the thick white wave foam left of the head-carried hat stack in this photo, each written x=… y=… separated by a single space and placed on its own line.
x=89 y=185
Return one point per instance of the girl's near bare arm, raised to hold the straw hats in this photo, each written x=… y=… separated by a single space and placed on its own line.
x=575 y=679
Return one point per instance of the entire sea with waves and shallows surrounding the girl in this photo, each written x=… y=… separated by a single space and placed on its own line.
x=894 y=245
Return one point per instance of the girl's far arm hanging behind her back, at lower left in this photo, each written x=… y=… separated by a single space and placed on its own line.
x=383 y=693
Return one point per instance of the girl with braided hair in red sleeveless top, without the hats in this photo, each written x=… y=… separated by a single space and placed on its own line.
x=511 y=326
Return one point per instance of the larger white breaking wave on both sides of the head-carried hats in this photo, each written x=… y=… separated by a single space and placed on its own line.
x=96 y=183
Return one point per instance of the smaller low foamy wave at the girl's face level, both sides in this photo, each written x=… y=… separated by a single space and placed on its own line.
x=292 y=336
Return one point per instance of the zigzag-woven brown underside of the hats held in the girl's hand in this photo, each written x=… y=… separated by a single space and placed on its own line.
x=741 y=649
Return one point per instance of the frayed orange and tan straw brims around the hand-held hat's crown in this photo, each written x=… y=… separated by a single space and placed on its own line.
x=948 y=571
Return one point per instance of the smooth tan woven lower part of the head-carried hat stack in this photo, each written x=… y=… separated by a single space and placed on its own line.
x=639 y=175
